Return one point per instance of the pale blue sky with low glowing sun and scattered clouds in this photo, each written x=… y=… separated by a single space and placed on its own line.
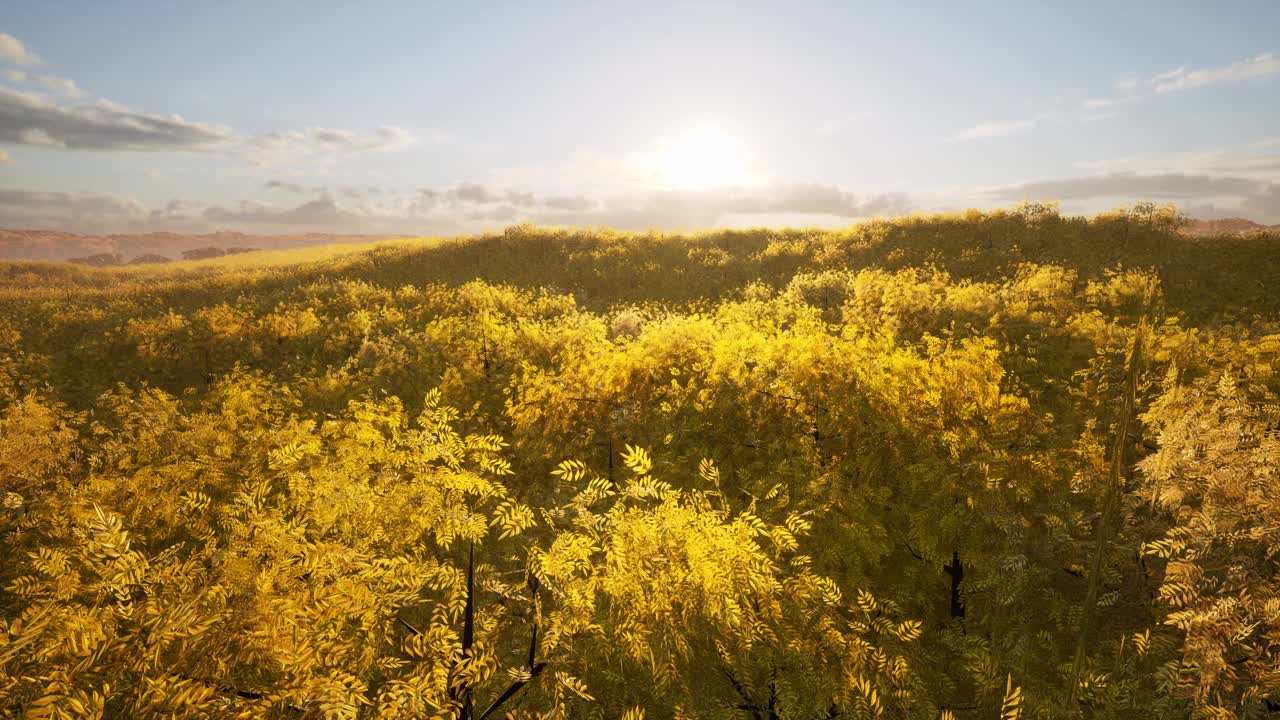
x=452 y=119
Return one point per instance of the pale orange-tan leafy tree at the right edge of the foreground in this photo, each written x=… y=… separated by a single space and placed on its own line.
x=1217 y=471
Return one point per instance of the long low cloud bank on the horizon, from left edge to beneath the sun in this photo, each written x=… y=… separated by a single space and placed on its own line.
x=464 y=208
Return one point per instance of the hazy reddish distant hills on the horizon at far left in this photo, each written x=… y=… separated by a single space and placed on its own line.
x=57 y=247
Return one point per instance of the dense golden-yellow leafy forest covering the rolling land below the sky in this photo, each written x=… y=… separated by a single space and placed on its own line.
x=988 y=466
